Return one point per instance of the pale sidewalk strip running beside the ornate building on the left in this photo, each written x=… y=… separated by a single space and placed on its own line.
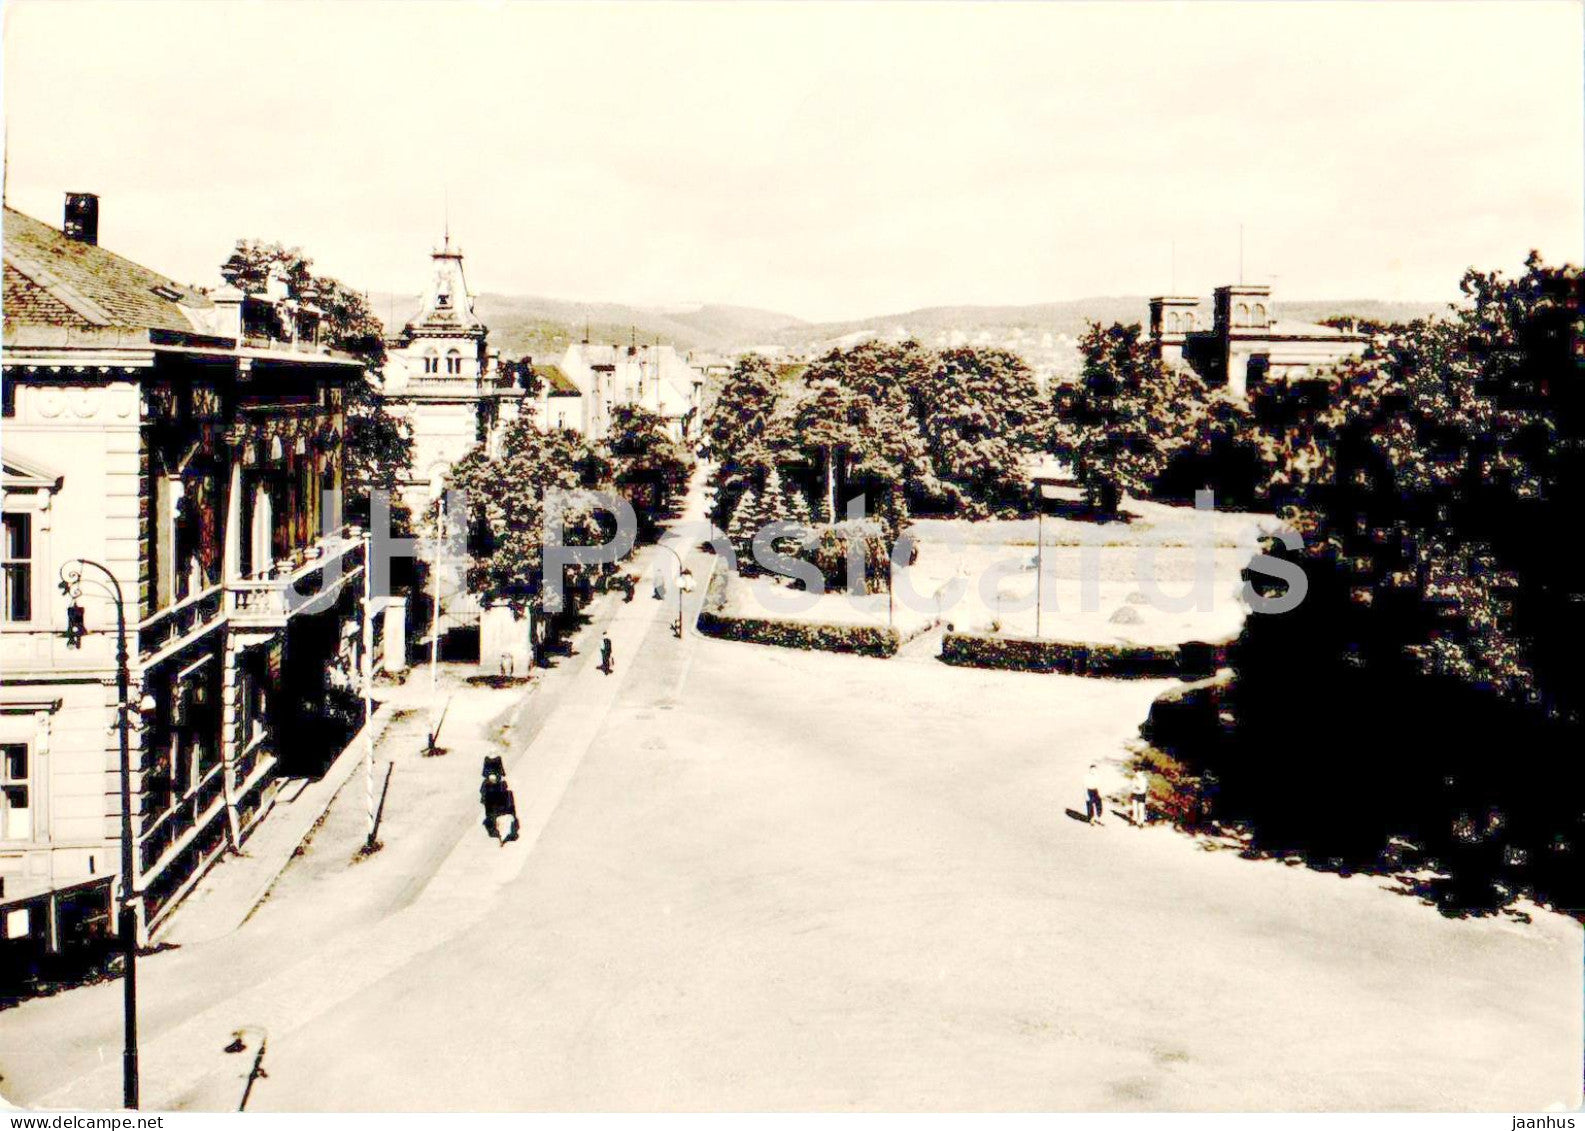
x=349 y=921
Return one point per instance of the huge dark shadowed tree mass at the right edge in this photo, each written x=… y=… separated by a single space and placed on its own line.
x=1437 y=652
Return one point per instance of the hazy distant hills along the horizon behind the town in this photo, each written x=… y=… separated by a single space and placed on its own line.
x=524 y=326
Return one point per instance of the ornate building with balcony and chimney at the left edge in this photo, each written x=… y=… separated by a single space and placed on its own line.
x=189 y=443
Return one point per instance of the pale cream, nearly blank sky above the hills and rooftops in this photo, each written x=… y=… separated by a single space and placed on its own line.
x=828 y=161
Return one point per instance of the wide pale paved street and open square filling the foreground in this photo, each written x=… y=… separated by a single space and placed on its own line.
x=755 y=878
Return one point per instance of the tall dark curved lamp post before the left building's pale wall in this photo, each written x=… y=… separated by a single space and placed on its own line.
x=72 y=587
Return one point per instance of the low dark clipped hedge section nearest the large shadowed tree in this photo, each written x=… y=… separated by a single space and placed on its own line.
x=1190 y=661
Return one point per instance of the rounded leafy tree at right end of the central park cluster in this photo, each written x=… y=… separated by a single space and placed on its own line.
x=982 y=414
